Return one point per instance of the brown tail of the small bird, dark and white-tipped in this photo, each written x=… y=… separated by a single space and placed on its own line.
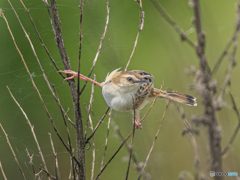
x=178 y=97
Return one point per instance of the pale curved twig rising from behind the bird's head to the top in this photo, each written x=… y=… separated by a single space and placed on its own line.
x=141 y=24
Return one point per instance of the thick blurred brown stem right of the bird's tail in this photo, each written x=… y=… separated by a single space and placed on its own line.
x=203 y=80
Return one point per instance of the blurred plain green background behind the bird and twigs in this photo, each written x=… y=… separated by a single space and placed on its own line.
x=160 y=51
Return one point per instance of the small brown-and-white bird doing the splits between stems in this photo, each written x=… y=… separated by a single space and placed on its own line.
x=131 y=90
